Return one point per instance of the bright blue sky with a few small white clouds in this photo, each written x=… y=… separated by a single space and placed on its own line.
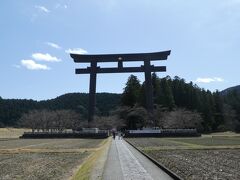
x=36 y=37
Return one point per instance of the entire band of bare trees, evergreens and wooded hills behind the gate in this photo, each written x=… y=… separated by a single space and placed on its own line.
x=177 y=104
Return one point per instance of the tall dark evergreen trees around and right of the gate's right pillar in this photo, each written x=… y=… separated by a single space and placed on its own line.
x=215 y=111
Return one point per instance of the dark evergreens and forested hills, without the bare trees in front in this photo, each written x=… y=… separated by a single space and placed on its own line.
x=219 y=111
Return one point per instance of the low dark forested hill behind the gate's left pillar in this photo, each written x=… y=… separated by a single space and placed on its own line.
x=12 y=109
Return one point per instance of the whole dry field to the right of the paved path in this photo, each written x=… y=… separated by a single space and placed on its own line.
x=214 y=156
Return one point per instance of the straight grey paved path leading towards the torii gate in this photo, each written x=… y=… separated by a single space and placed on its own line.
x=126 y=163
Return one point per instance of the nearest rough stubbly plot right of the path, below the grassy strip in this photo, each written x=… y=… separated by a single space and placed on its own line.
x=201 y=164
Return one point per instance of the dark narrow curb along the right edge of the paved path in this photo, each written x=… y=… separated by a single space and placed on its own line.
x=161 y=166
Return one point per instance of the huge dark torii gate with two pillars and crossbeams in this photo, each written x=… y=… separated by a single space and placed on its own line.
x=147 y=68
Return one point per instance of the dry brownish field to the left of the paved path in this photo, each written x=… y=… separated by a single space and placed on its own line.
x=43 y=158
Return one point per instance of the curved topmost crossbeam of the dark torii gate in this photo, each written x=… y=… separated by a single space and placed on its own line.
x=85 y=58
